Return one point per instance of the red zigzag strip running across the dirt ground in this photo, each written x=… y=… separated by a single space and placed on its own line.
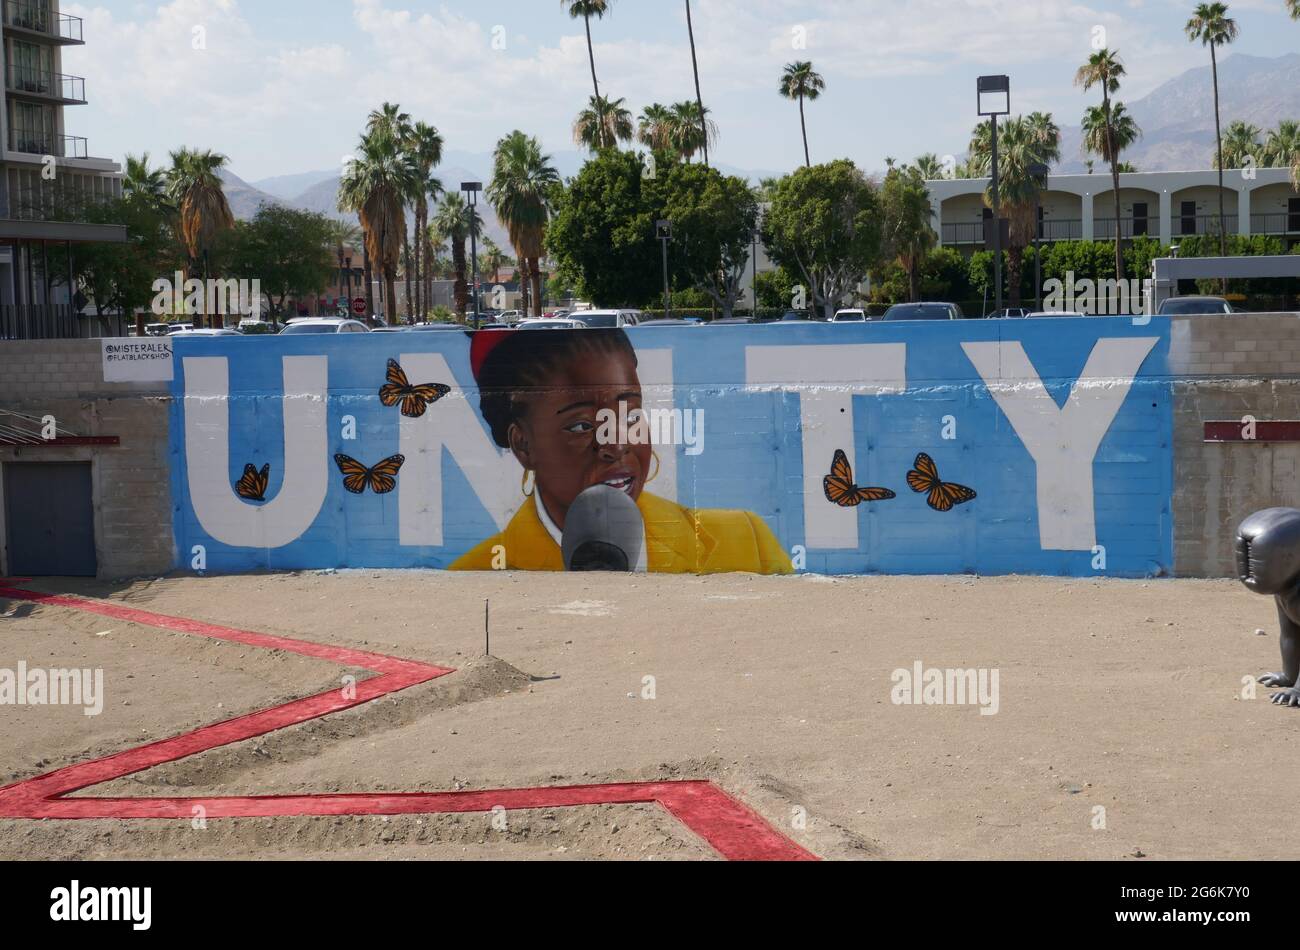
x=731 y=828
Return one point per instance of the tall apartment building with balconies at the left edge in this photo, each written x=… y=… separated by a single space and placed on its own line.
x=46 y=173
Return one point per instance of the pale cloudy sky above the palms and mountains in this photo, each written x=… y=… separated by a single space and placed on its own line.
x=284 y=86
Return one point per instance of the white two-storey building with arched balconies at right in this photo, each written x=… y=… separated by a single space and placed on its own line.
x=1165 y=206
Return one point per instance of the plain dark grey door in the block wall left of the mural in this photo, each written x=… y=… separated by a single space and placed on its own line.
x=50 y=519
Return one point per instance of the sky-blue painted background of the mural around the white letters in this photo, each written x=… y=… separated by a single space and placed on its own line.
x=753 y=458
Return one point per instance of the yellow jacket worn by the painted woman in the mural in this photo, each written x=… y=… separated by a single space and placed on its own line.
x=678 y=541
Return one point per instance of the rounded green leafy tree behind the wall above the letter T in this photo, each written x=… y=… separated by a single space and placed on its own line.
x=826 y=225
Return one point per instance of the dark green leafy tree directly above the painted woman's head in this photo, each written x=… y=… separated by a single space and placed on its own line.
x=603 y=233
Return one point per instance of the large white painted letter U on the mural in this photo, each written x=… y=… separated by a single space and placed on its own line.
x=207 y=454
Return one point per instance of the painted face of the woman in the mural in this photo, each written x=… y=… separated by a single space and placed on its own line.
x=561 y=435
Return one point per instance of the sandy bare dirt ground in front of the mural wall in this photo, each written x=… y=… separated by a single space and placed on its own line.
x=1121 y=695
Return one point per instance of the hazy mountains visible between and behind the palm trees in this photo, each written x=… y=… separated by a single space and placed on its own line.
x=1177 y=120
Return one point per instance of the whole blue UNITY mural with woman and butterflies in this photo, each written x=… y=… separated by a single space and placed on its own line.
x=977 y=446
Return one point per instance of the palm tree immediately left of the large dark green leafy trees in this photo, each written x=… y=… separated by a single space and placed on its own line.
x=521 y=188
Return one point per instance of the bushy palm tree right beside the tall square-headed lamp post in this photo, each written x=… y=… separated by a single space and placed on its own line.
x=1022 y=144
